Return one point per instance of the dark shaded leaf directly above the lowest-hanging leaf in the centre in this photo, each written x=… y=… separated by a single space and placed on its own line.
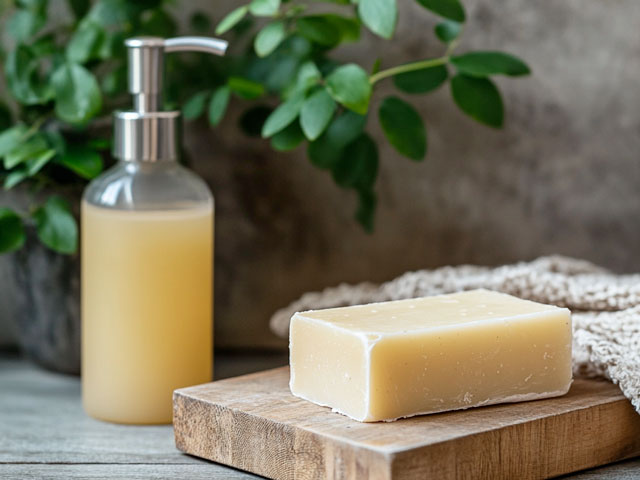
x=358 y=165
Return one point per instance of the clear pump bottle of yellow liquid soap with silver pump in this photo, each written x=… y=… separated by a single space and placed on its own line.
x=147 y=248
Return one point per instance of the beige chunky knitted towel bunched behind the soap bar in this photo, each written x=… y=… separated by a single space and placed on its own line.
x=605 y=307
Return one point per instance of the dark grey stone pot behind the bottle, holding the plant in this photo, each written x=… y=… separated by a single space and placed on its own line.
x=41 y=296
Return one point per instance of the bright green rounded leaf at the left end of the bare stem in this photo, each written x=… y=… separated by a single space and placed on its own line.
x=349 y=85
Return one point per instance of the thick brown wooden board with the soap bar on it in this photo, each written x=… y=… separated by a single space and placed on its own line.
x=254 y=423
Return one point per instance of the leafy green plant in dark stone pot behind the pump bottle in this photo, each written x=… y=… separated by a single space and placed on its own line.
x=64 y=79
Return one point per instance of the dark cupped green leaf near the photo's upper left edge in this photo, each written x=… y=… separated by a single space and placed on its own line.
x=23 y=78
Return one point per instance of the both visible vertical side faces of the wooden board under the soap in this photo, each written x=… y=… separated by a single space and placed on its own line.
x=583 y=438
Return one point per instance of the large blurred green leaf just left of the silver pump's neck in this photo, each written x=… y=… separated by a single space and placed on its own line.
x=78 y=96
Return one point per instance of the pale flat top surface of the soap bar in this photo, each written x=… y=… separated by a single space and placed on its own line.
x=418 y=314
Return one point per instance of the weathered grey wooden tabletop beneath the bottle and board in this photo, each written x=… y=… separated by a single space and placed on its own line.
x=44 y=432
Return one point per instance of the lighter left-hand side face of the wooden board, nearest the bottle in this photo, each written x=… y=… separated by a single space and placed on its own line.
x=254 y=444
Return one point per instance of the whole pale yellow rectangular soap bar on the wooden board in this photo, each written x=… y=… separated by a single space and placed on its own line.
x=385 y=361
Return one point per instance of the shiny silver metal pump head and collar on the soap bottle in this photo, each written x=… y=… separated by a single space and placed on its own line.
x=148 y=133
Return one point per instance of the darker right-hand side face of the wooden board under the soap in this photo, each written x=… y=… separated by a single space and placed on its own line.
x=604 y=433
